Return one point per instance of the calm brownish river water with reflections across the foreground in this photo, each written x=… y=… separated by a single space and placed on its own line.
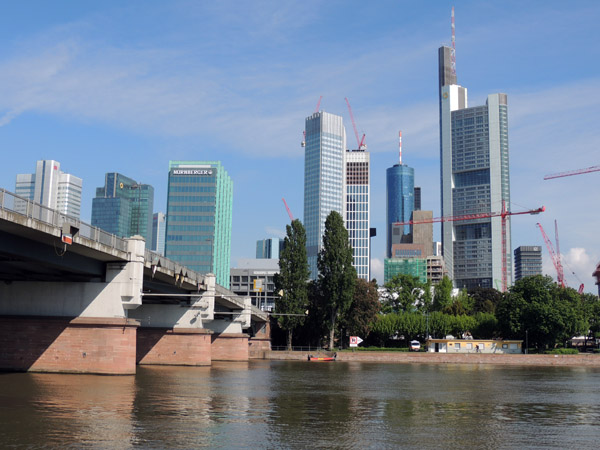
x=297 y=404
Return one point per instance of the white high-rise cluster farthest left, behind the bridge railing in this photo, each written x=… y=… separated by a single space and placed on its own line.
x=51 y=187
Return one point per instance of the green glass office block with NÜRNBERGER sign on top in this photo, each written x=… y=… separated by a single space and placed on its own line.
x=199 y=217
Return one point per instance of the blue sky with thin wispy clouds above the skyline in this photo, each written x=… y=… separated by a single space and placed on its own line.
x=127 y=86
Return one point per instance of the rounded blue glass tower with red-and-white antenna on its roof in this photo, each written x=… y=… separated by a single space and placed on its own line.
x=400 y=193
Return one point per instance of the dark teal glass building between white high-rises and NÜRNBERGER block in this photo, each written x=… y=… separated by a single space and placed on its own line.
x=123 y=207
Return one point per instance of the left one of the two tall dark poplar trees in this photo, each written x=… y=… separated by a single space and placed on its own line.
x=292 y=279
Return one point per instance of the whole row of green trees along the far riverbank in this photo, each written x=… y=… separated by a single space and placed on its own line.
x=338 y=304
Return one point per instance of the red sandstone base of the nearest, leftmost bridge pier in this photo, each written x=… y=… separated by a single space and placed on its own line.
x=68 y=345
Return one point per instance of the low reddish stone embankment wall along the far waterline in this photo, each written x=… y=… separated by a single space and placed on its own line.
x=588 y=360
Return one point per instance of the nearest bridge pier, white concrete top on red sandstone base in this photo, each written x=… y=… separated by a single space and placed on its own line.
x=74 y=327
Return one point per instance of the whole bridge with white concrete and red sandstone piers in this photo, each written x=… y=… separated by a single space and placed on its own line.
x=74 y=298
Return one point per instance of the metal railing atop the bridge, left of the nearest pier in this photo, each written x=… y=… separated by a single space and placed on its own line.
x=33 y=210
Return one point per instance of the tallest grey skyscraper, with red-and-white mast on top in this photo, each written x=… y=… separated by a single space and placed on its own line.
x=474 y=179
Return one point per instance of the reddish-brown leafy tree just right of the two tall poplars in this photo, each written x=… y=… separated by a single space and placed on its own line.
x=364 y=309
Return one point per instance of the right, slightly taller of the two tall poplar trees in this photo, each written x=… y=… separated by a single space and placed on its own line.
x=337 y=276
